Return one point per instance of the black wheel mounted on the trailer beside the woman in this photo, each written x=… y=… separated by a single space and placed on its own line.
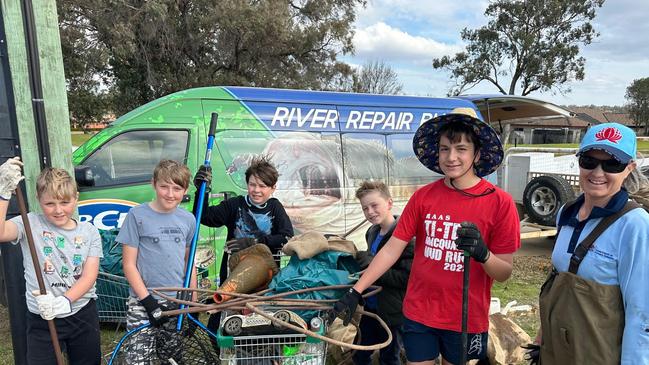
x=544 y=195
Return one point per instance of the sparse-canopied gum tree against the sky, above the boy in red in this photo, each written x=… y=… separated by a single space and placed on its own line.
x=532 y=44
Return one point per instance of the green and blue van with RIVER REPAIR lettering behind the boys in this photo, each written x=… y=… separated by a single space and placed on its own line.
x=323 y=144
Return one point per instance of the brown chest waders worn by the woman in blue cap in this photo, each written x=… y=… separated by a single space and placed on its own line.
x=581 y=321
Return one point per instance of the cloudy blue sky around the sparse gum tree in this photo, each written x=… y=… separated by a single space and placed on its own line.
x=408 y=34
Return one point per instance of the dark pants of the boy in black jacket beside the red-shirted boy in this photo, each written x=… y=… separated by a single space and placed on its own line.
x=371 y=334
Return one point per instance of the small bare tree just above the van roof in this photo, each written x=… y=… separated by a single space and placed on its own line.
x=376 y=77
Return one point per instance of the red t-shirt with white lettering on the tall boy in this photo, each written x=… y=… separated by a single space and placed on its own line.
x=433 y=214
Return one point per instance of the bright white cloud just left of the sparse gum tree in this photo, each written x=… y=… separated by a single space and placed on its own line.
x=381 y=41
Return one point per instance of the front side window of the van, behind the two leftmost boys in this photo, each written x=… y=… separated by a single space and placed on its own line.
x=130 y=157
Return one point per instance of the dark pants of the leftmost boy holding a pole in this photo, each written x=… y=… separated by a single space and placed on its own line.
x=78 y=335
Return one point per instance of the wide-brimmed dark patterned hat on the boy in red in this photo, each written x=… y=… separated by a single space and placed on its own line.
x=426 y=141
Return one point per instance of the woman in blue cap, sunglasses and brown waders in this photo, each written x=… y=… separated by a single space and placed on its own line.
x=595 y=304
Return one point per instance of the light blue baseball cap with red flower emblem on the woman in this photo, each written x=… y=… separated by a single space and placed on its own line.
x=613 y=138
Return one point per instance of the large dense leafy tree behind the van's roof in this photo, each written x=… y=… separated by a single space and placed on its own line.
x=156 y=47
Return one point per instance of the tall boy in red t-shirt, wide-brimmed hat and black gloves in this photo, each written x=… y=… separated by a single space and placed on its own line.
x=461 y=212
